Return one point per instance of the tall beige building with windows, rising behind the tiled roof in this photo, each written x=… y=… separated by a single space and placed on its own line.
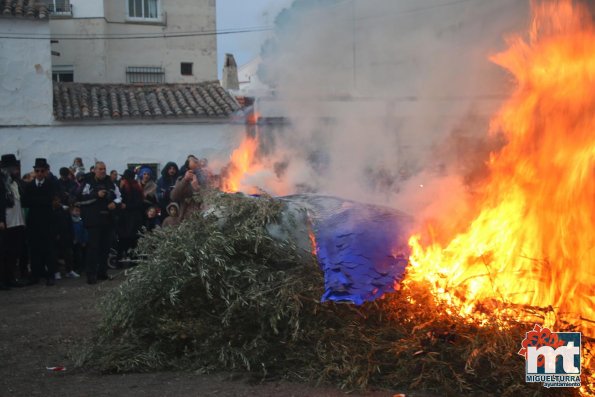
x=133 y=41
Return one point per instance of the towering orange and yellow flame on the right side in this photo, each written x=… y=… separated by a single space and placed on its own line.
x=532 y=241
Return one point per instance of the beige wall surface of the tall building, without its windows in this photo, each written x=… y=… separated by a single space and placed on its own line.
x=105 y=61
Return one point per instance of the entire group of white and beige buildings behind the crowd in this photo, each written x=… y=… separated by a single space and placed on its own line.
x=108 y=117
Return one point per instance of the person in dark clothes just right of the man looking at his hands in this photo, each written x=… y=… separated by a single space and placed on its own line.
x=131 y=217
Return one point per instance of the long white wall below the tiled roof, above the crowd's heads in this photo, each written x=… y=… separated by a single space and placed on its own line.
x=118 y=145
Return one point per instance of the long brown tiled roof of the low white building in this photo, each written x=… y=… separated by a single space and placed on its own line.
x=78 y=101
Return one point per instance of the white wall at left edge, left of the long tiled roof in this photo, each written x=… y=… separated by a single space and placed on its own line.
x=25 y=74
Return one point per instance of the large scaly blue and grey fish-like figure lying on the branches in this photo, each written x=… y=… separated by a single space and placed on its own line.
x=361 y=248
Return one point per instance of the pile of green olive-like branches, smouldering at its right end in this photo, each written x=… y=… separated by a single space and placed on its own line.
x=218 y=293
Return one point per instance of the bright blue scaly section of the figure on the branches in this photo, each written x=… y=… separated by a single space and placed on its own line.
x=362 y=250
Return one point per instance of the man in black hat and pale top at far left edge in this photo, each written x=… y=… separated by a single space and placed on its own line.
x=13 y=233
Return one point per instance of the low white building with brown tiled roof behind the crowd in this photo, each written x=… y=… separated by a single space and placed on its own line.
x=125 y=123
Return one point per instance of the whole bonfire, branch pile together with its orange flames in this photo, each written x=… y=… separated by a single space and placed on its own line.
x=236 y=288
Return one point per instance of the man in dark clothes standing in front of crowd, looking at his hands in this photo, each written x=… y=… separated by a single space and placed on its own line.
x=99 y=200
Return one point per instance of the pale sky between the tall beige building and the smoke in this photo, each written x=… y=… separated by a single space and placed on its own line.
x=233 y=14
